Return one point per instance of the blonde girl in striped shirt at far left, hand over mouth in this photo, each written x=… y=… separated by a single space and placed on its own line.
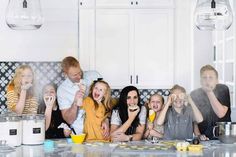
x=20 y=95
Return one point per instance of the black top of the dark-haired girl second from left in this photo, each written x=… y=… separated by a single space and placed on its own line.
x=56 y=120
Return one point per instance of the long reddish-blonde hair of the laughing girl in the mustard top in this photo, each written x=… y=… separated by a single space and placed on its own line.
x=107 y=101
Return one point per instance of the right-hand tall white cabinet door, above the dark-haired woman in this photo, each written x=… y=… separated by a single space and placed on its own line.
x=153 y=48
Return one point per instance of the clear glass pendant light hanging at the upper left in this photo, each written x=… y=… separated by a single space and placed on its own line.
x=24 y=14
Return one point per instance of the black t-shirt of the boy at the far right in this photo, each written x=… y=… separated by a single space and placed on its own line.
x=209 y=117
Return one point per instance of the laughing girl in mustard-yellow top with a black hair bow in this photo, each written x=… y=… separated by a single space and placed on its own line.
x=98 y=108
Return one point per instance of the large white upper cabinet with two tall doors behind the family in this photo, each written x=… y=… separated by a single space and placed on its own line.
x=128 y=46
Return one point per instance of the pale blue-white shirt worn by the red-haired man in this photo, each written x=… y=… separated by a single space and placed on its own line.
x=66 y=95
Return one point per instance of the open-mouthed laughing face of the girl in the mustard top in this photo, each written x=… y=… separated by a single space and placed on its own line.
x=99 y=91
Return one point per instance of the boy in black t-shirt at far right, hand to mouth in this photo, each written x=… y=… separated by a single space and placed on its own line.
x=213 y=100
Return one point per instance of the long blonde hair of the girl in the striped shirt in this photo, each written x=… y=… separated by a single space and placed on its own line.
x=16 y=81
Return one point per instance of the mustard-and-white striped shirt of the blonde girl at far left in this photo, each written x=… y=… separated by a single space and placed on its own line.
x=31 y=104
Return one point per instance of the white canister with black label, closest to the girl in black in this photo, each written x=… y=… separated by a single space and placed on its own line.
x=33 y=129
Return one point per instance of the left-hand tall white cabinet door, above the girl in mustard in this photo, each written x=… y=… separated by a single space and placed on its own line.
x=112 y=57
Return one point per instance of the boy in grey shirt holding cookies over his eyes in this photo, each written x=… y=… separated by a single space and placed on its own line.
x=178 y=115
